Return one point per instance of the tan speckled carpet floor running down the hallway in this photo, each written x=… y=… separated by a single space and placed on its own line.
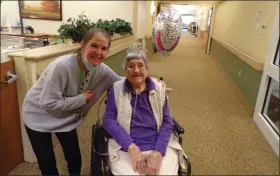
x=220 y=137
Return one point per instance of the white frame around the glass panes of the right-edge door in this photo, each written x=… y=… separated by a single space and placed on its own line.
x=270 y=71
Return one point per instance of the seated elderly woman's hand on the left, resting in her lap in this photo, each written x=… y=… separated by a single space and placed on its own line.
x=137 y=159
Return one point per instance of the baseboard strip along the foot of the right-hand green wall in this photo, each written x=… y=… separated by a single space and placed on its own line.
x=237 y=91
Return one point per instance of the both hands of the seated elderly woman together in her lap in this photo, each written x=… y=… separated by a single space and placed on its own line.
x=149 y=163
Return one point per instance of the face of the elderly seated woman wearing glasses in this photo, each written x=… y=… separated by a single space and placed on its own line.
x=136 y=71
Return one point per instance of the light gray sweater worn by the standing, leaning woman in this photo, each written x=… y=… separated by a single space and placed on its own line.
x=55 y=104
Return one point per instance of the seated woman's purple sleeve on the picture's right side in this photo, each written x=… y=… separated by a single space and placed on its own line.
x=165 y=130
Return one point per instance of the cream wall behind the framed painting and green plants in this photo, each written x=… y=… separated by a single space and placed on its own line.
x=93 y=9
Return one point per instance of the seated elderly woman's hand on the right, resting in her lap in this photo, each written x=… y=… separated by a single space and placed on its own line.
x=154 y=163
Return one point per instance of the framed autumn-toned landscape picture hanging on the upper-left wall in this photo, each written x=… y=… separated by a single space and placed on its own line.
x=45 y=9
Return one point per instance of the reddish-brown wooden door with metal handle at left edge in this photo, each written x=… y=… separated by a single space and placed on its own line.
x=11 y=150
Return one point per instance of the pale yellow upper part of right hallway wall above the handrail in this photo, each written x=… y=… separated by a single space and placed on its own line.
x=235 y=23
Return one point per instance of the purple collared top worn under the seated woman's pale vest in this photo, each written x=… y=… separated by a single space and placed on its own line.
x=143 y=129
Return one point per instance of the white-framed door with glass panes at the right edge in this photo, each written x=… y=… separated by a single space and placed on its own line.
x=267 y=110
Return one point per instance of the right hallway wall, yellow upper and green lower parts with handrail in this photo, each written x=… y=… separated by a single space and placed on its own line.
x=234 y=25
